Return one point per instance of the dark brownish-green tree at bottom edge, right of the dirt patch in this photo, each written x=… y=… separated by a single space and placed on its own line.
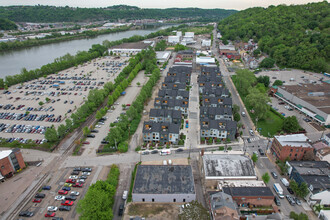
x=194 y=210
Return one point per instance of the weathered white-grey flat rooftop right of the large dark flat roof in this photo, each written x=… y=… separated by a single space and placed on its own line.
x=227 y=165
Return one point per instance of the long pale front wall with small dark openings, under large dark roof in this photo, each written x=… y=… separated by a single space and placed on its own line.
x=163 y=197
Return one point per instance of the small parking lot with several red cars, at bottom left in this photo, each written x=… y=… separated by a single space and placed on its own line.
x=53 y=197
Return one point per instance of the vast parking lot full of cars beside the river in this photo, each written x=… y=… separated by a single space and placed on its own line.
x=27 y=110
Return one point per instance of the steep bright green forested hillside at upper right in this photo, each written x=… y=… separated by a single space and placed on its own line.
x=295 y=36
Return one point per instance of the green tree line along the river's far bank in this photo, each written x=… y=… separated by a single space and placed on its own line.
x=55 y=38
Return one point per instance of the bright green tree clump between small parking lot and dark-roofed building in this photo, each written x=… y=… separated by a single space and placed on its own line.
x=100 y=197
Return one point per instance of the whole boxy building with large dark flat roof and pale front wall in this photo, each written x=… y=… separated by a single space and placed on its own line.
x=164 y=183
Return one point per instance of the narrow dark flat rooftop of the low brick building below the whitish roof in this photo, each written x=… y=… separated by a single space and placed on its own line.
x=248 y=191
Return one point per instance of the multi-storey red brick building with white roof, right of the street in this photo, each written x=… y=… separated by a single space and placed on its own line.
x=294 y=146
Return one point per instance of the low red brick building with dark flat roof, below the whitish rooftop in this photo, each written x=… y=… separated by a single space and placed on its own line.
x=251 y=196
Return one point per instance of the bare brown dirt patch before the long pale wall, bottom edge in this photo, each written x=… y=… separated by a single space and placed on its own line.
x=153 y=211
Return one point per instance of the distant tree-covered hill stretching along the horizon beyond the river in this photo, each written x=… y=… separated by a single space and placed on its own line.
x=68 y=14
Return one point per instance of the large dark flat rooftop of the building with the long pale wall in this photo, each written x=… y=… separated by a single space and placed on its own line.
x=162 y=179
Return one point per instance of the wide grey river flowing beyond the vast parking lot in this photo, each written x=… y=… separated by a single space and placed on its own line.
x=12 y=62
